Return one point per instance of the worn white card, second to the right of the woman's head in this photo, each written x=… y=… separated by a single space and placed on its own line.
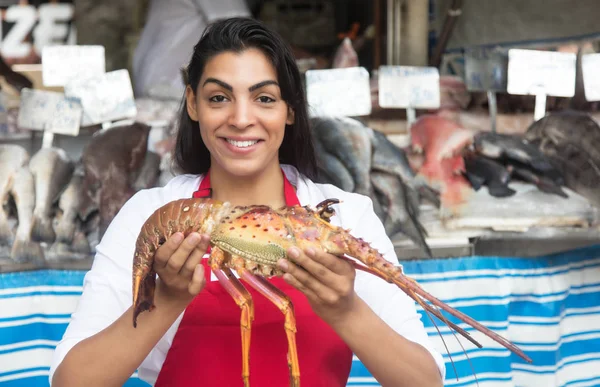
x=409 y=87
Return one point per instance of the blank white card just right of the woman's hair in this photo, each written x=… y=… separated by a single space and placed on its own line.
x=338 y=92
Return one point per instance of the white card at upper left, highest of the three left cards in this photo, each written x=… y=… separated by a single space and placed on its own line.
x=62 y=64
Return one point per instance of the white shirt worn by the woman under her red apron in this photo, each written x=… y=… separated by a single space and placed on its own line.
x=107 y=292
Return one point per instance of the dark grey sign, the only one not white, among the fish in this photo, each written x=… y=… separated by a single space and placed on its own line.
x=486 y=70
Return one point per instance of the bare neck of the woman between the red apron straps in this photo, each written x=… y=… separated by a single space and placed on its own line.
x=263 y=188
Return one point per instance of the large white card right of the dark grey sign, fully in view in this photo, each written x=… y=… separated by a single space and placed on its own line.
x=533 y=72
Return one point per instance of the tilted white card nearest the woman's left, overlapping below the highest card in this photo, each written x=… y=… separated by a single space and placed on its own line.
x=107 y=97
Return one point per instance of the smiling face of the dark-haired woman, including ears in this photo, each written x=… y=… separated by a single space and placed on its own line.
x=240 y=111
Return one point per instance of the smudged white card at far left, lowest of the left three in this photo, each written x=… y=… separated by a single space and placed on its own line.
x=49 y=111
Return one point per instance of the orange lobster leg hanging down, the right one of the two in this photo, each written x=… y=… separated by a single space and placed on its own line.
x=282 y=301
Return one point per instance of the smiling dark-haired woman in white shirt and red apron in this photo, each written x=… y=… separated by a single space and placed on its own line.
x=243 y=123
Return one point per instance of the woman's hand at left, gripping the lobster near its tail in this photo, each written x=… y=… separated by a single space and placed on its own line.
x=177 y=263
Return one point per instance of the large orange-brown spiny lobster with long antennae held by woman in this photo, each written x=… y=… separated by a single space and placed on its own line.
x=250 y=240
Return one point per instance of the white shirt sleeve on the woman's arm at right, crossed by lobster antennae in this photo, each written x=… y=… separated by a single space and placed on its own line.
x=388 y=301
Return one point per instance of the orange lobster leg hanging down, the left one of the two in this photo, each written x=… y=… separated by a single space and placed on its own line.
x=243 y=299
